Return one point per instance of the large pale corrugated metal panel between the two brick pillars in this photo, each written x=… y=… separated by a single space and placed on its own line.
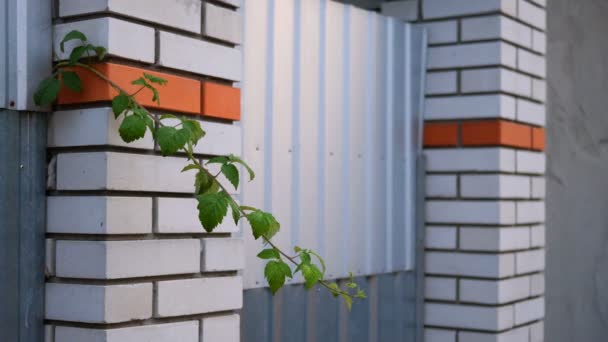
x=331 y=96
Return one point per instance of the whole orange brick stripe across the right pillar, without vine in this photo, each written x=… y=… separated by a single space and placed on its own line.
x=492 y=132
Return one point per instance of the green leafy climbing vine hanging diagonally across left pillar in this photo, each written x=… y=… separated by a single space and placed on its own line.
x=213 y=198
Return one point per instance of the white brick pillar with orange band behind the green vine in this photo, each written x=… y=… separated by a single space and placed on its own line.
x=127 y=259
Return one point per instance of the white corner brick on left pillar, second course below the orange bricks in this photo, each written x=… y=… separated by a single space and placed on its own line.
x=107 y=171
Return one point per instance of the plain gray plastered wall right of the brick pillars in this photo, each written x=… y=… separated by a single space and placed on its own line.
x=577 y=175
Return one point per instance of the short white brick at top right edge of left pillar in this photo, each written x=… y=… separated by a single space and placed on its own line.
x=222 y=23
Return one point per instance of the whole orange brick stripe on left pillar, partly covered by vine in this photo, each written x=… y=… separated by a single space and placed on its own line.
x=180 y=94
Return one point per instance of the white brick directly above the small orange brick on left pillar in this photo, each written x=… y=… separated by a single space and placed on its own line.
x=219 y=61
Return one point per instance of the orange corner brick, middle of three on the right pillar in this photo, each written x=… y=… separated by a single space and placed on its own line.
x=496 y=133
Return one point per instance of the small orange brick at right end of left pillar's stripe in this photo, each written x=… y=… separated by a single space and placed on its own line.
x=220 y=101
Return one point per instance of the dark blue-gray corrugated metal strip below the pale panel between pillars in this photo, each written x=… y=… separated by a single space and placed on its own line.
x=297 y=315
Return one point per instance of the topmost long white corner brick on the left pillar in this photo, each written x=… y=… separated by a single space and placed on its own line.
x=183 y=14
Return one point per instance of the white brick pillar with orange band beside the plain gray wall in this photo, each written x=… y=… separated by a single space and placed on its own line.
x=484 y=140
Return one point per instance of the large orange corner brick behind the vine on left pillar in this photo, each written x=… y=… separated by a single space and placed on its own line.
x=180 y=94
